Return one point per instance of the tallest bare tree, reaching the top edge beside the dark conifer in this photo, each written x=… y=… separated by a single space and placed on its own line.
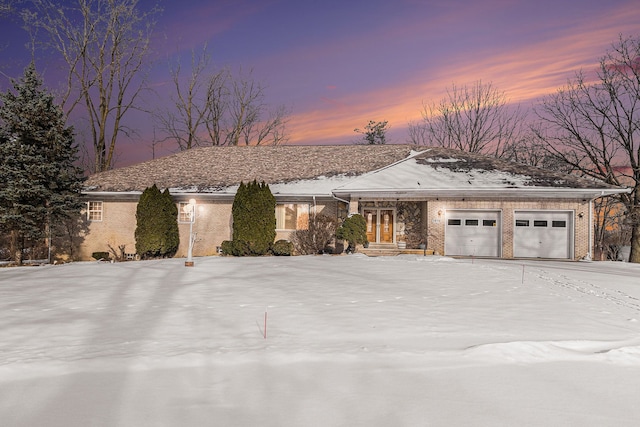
x=104 y=45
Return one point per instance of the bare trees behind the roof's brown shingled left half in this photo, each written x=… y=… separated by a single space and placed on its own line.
x=214 y=107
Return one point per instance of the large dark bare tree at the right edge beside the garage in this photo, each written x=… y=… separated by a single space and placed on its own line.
x=593 y=124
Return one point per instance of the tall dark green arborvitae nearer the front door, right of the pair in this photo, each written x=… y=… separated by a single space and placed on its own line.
x=254 y=217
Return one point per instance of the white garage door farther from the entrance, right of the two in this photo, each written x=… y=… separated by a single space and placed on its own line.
x=542 y=234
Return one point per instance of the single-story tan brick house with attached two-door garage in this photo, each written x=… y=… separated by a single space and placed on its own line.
x=455 y=203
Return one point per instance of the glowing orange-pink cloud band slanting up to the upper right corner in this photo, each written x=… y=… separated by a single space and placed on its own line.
x=526 y=71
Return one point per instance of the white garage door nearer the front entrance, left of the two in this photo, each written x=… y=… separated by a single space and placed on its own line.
x=472 y=233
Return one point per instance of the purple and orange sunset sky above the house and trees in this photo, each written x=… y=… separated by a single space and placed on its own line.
x=336 y=64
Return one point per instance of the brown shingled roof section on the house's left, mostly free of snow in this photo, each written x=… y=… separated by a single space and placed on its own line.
x=210 y=168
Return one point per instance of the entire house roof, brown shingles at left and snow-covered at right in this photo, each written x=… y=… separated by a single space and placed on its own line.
x=343 y=170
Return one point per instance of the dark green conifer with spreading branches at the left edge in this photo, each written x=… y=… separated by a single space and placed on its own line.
x=40 y=184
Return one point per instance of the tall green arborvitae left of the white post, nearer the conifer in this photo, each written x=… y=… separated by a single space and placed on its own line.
x=157 y=234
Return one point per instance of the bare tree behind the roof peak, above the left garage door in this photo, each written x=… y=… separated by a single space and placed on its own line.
x=476 y=119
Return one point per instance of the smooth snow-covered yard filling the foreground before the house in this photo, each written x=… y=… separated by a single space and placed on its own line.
x=350 y=341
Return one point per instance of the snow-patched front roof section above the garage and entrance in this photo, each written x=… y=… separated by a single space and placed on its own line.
x=440 y=171
